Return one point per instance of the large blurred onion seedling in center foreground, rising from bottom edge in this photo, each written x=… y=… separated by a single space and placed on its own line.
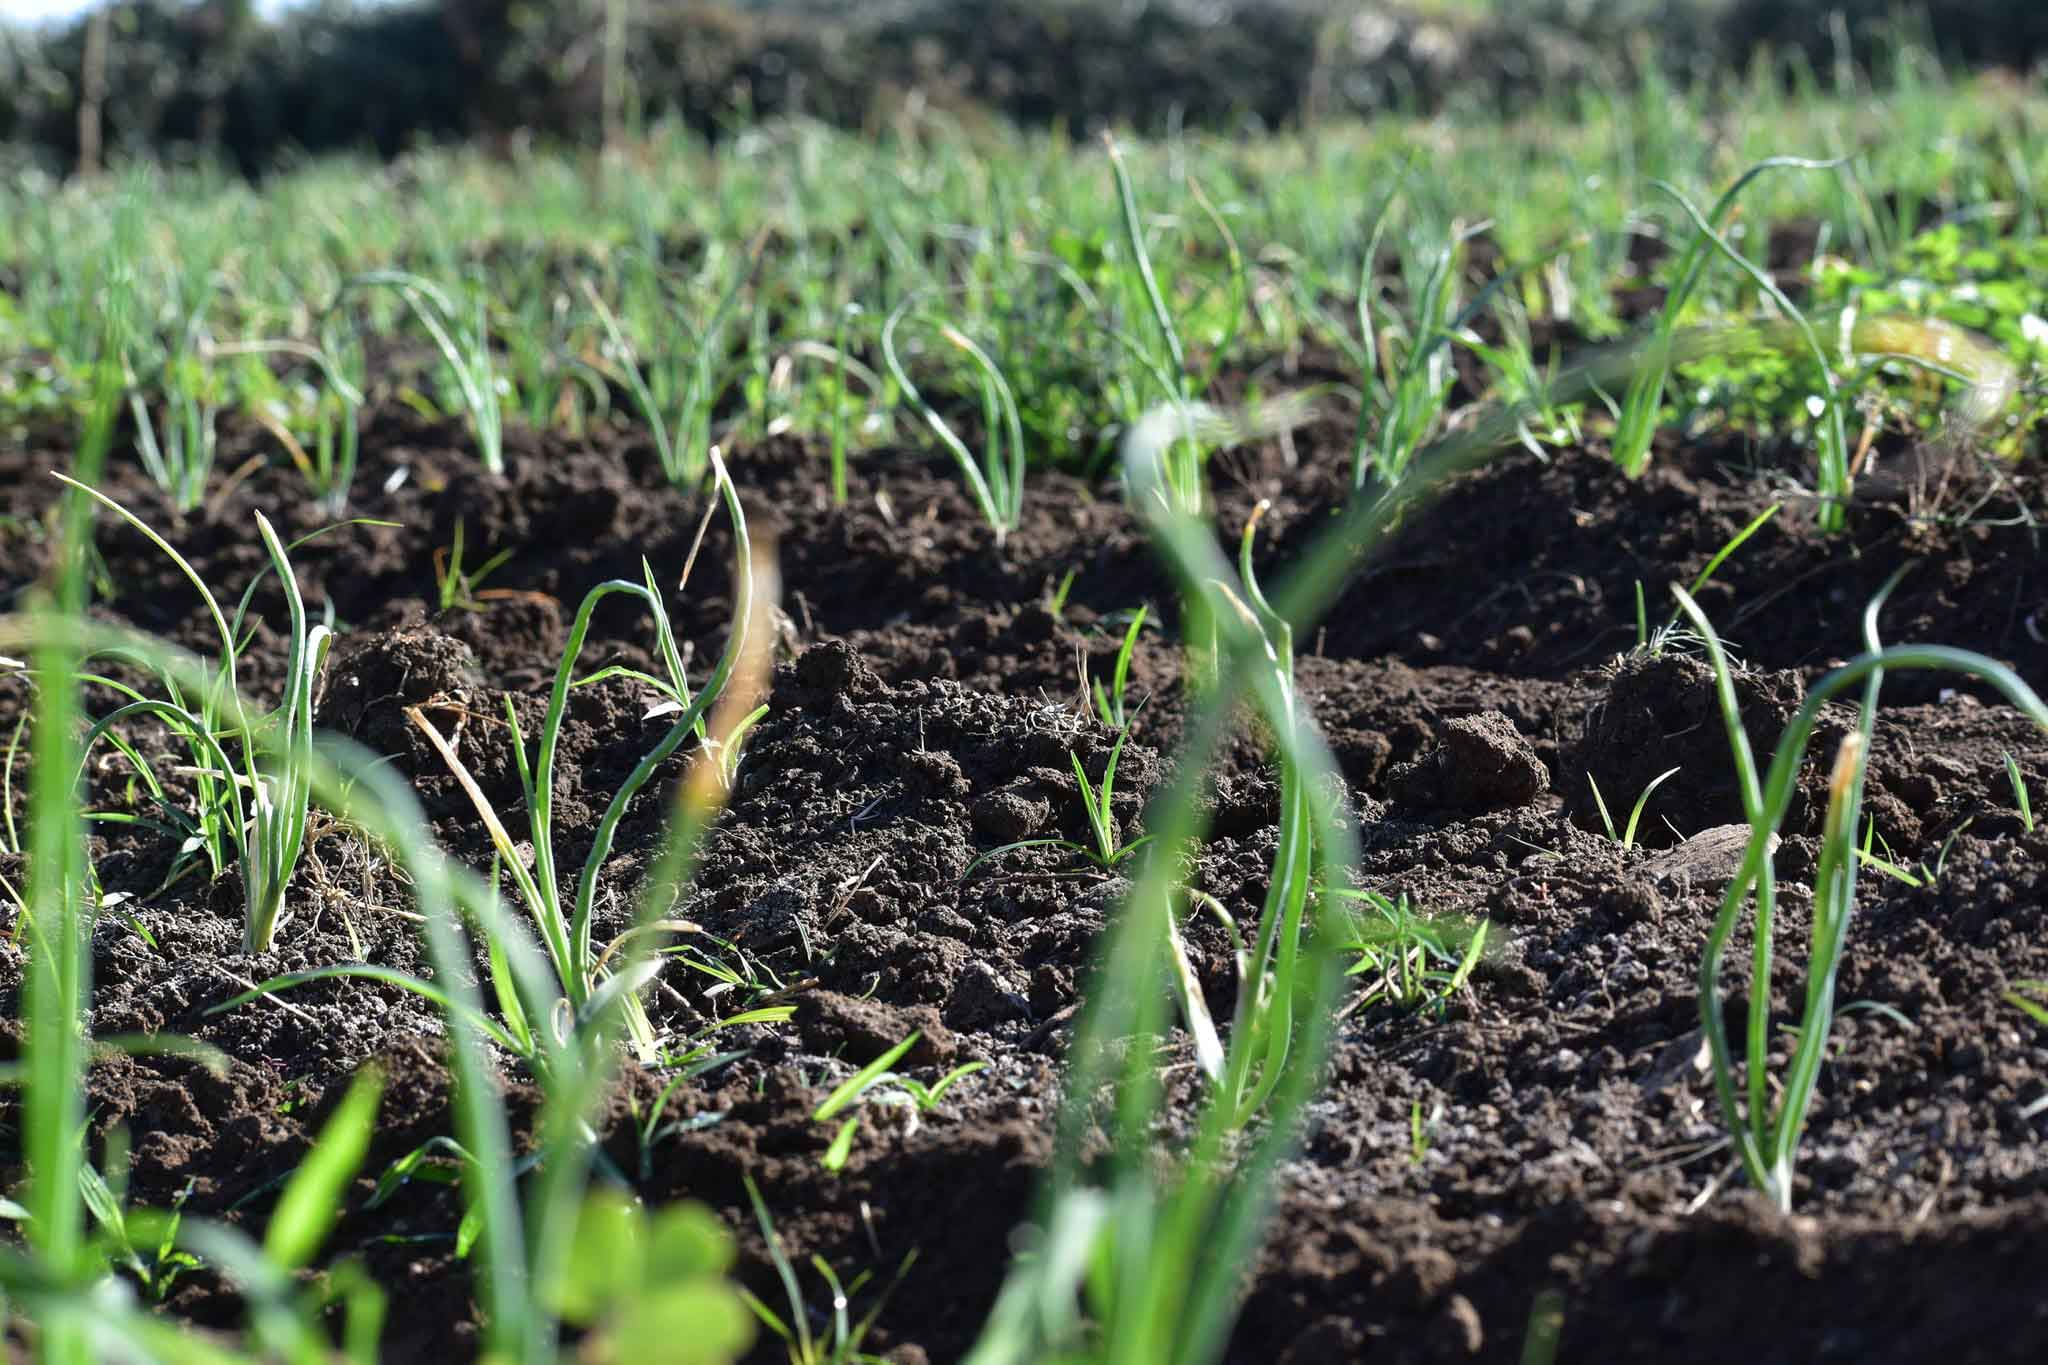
x=1146 y=1245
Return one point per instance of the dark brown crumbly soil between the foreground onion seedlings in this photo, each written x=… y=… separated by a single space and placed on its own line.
x=925 y=713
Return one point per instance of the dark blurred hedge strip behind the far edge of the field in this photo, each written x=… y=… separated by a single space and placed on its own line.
x=259 y=83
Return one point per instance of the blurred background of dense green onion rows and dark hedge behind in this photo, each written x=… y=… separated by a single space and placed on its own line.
x=816 y=165
